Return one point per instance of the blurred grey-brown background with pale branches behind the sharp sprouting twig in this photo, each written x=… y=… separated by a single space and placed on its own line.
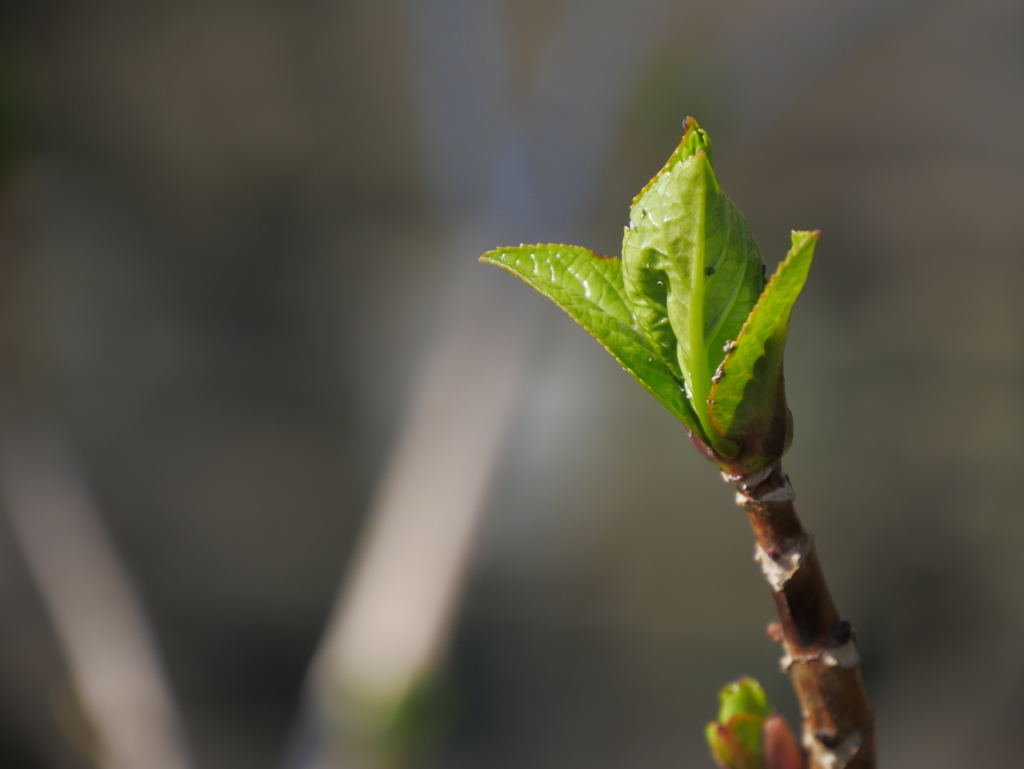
x=289 y=481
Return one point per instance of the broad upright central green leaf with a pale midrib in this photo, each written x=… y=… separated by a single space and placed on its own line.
x=692 y=271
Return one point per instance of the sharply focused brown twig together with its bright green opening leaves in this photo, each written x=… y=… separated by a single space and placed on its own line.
x=689 y=313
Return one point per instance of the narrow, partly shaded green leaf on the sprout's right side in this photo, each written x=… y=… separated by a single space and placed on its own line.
x=748 y=401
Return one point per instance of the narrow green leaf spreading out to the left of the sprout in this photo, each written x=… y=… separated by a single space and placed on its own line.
x=589 y=287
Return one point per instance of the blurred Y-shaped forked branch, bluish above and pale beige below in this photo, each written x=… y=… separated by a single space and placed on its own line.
x=491 y=168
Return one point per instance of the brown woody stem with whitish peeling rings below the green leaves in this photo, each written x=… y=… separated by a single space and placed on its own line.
x=820 y=651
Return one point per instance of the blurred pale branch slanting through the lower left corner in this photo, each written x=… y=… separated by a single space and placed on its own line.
x=97 y=614
